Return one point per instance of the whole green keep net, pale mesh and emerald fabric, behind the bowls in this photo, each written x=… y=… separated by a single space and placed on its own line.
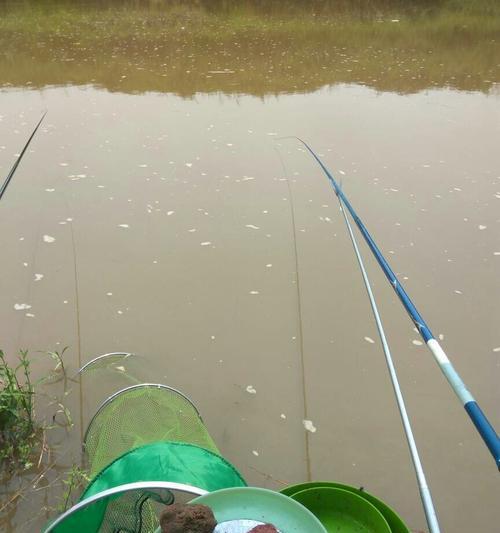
x=141 y=437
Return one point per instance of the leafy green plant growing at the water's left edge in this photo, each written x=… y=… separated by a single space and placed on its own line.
x=18 y=430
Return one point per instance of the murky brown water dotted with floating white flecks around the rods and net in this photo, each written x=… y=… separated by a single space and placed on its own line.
x=147 y=220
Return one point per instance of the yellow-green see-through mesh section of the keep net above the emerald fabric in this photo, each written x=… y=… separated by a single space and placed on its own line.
x=140 y=415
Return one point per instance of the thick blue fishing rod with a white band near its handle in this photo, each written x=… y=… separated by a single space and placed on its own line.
x=475 y=413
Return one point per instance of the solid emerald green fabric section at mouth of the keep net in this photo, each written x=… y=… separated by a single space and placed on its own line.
x=135 y=511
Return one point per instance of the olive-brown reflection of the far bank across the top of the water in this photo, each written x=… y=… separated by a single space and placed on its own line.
x=251 y=47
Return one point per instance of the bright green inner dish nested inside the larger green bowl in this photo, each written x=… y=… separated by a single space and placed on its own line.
x=342 y=510
